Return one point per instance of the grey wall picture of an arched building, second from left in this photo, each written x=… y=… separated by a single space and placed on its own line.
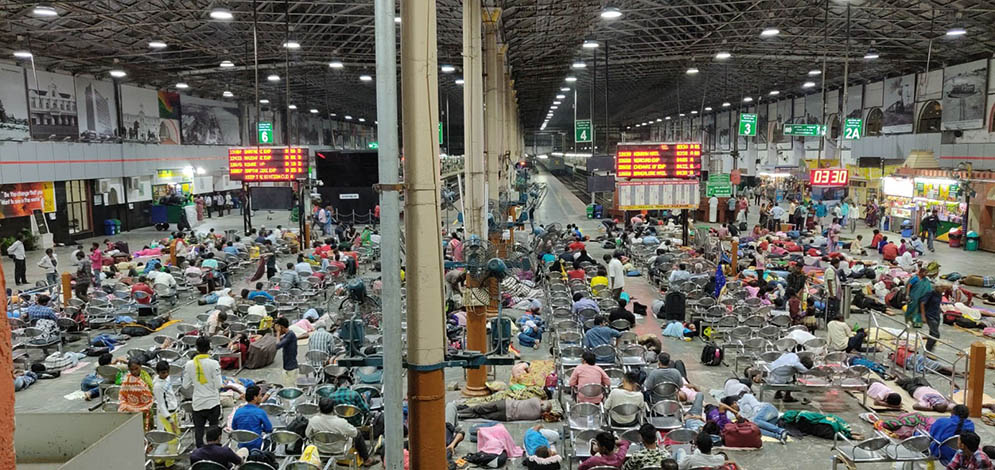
x=52 y=104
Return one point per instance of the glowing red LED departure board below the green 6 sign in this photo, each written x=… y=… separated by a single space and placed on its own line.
x=267 y=163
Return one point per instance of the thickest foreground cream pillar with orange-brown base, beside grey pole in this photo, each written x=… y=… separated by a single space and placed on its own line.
x=426 y=332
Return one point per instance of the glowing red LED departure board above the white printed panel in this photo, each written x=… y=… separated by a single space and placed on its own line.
x=669 y=160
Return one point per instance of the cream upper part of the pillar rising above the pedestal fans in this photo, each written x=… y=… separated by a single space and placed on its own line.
x=475 y=216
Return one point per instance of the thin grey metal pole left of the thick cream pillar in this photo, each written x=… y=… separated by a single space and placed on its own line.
x=388 y=162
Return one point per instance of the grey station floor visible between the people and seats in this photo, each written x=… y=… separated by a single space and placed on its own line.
x=560 y=206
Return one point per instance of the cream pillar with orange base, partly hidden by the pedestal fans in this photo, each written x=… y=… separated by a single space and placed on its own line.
x=475 y=214
